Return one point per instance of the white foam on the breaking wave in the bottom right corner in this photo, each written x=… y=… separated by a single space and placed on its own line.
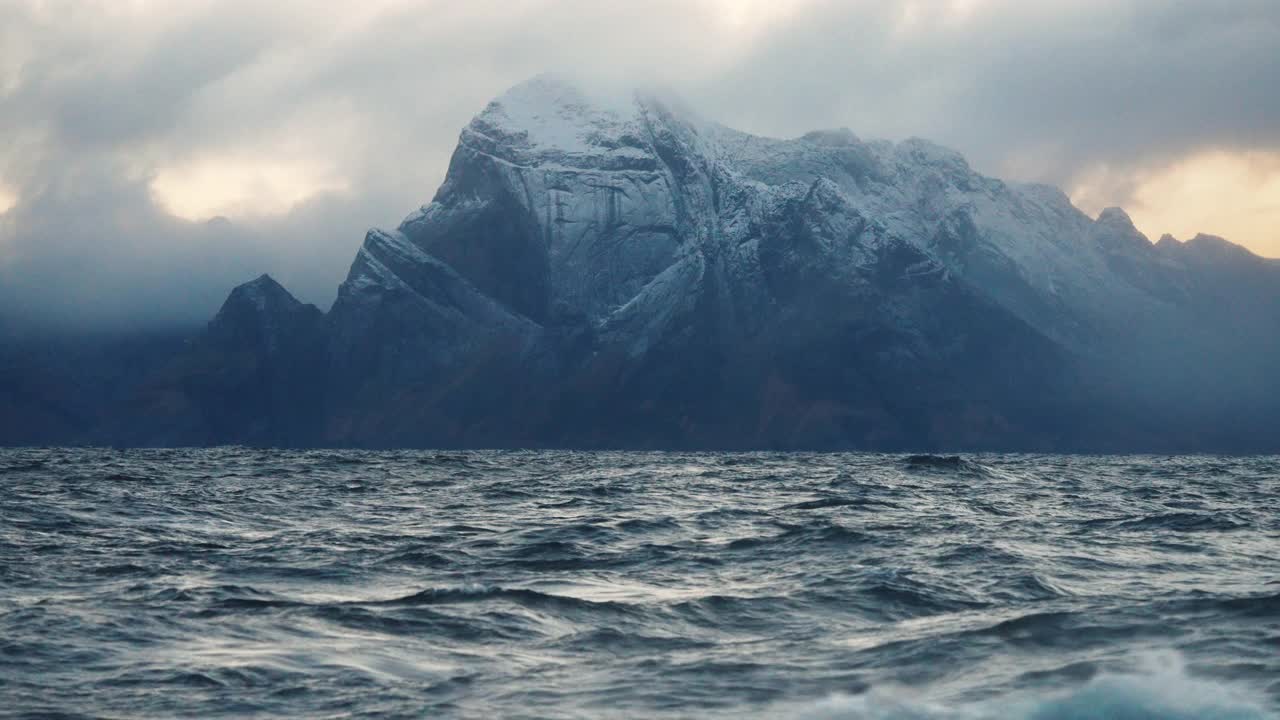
x=1162 y=690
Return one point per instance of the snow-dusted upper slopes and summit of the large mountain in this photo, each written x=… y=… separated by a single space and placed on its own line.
x=611 y=192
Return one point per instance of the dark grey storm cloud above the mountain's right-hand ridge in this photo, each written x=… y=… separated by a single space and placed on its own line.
x=1071 y=83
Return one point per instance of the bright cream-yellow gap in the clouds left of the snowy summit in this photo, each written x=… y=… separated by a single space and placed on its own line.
x=240 y=188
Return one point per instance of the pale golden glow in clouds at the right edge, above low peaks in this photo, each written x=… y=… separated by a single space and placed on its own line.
x=1233 y=195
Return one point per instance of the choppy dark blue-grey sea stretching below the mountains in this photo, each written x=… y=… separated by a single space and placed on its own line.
x=235 y=584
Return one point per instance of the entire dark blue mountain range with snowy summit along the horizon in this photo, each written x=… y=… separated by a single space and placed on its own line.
x=623 y=274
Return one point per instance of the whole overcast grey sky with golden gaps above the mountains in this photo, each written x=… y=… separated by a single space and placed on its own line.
x=129 y=125
